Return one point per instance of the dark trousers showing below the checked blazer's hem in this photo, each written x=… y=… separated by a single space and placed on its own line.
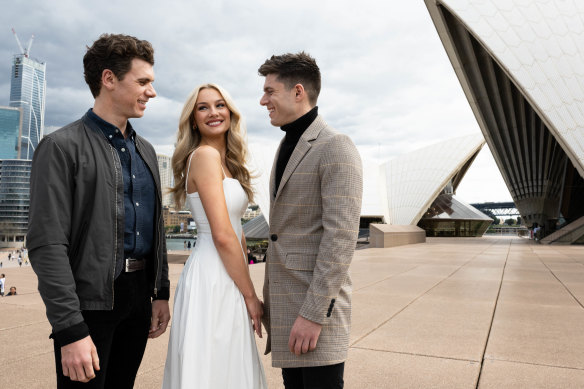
x=319 y=377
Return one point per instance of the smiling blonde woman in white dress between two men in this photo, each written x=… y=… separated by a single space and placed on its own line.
x=216 y=309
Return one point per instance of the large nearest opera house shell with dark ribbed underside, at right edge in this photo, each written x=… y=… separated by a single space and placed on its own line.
x=520 y=65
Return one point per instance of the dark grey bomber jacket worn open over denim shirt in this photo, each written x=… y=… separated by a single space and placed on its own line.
x=76 y=225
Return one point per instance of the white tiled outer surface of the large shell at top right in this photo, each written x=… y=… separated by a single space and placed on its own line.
x=540 y=45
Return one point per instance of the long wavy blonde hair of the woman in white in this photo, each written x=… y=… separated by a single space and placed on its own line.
x=189 y=138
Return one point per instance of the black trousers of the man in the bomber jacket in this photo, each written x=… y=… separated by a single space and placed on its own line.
x=119 y=335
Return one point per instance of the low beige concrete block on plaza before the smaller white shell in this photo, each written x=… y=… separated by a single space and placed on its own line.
x=387 y=235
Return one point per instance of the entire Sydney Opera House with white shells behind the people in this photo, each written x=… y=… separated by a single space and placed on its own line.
x=521 y=66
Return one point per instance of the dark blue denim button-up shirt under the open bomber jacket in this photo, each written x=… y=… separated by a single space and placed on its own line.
x=139 y=191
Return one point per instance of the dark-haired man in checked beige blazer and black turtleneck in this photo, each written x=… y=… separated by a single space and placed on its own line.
x=315 y=201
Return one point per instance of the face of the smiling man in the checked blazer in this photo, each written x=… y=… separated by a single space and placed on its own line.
x=280 y=101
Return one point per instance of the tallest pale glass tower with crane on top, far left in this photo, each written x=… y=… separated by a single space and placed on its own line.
x=27 y=91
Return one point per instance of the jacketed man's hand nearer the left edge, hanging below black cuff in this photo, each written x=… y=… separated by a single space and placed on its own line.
x=79 y=360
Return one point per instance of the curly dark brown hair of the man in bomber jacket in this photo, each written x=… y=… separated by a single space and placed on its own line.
x=114 y=52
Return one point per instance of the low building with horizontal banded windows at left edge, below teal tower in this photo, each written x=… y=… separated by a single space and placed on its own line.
x=14 y=200
